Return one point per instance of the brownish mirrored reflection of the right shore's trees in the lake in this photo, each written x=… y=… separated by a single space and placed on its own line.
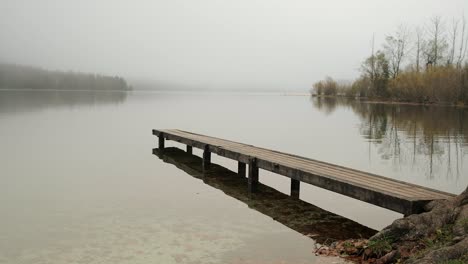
x=430 y=137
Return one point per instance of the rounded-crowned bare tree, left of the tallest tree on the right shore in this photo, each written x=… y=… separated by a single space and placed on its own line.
x=396 y=48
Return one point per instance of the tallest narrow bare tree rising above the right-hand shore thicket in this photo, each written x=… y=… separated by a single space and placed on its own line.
x=436 y=44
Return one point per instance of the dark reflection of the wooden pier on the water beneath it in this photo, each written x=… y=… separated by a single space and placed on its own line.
x=305 y=218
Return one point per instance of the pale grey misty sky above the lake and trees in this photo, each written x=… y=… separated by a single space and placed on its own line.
x=265 y=44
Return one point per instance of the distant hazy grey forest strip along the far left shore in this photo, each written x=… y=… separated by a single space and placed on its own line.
x=27 y=77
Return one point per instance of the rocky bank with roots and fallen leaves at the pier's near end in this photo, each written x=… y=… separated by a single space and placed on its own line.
x=439 y=235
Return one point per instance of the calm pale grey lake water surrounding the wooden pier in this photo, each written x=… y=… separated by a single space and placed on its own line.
x=78 y=182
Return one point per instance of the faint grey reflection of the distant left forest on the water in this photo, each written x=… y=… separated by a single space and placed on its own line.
x=30 y=101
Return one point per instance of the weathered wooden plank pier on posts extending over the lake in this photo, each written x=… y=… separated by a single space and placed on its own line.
x=394 y=195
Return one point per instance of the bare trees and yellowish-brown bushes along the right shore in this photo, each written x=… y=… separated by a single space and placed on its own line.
x=424 y=64
